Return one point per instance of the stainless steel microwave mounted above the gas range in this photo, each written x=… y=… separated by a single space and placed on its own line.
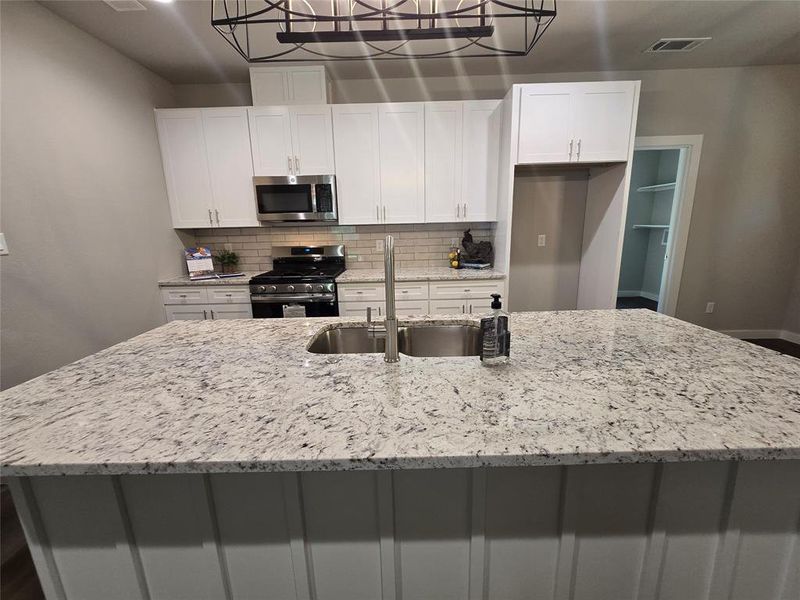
x=302 y=198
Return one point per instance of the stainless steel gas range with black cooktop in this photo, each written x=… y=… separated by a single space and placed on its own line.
x=301 y=283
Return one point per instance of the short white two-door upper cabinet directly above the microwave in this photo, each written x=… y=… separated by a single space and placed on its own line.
x=292 y=140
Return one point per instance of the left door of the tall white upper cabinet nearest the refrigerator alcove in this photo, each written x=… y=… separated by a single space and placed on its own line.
x=444 y=130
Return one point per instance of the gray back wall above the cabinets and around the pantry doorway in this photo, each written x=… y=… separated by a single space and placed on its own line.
x=743 y=250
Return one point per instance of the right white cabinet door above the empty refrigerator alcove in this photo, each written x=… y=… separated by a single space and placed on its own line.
x=602 y=123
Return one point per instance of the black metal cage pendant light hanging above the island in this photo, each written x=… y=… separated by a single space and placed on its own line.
x=330 y=30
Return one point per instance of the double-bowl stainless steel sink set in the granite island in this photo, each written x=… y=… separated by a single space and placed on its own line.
x=419 y=340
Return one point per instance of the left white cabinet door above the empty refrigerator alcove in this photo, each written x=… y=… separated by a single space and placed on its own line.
x=545 y=123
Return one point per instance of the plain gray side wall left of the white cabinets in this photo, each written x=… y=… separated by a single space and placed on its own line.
x=84 y=205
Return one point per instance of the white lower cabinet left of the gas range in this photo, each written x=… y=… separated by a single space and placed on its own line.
x=198 y=303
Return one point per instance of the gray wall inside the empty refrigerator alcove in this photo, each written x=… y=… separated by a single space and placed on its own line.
x=550 y=202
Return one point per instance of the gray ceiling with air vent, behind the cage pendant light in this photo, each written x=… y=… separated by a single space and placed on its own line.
x=177 y=41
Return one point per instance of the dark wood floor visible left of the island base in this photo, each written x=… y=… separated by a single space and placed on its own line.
x=18 y=579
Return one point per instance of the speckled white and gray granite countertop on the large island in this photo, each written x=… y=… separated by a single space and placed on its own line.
x=245 y=395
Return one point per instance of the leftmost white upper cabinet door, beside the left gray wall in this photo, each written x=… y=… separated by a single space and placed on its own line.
x=180 y=134
